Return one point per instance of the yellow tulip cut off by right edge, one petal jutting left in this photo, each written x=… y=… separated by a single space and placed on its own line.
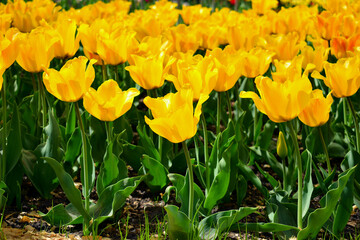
x=343 y=77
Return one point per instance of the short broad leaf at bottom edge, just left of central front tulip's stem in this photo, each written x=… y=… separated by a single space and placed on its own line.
x=179 y=225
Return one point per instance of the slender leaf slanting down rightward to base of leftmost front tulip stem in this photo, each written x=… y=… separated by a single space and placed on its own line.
x=72 y=193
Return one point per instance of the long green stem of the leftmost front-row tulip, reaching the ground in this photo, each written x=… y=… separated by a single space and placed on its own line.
x=84 y=167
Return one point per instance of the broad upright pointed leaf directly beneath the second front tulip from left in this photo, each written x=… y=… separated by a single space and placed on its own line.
x=112 y=170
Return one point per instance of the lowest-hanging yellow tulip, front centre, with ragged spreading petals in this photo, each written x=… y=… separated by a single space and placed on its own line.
x=174 y=116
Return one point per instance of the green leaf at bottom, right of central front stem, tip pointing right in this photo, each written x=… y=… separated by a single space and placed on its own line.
x=212 y=226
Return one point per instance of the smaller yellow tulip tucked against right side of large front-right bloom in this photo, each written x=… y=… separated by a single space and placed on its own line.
x=316 y=113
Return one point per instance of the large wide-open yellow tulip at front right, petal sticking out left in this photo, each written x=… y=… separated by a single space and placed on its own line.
x=281 y=102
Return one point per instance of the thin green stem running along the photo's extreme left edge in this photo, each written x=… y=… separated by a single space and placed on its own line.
x=4 y=138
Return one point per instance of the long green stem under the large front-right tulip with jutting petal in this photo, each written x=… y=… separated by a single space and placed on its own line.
x=300 y=184
